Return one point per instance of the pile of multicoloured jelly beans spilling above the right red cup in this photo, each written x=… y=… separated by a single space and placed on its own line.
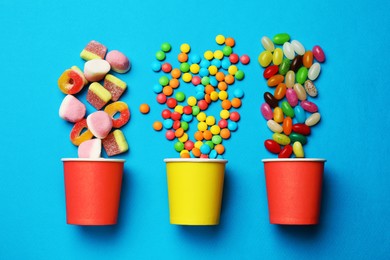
x=291 y=70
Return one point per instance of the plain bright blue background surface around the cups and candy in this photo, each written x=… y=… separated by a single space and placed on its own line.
x=40 y=39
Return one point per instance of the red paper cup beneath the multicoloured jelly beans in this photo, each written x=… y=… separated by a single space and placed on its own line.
x=294 y=190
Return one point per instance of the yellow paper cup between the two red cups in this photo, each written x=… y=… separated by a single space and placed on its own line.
x=195 y=188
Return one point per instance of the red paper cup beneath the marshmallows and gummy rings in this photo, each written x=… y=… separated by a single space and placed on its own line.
x=92 y=189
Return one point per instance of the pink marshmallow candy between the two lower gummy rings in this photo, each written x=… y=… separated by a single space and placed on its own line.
x=100 y=124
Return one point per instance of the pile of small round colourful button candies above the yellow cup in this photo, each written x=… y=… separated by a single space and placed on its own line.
x=210 y=76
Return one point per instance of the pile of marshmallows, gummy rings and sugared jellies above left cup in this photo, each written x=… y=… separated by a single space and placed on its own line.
x=100 y=123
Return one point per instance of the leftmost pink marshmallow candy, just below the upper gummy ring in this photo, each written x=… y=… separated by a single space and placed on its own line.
x=72 y=109
